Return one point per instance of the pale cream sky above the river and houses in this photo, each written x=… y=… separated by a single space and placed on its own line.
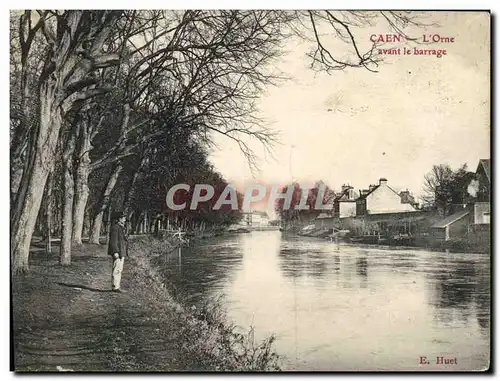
x=355 y=126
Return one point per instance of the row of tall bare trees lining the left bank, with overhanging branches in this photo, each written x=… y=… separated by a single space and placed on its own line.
x=109 y=107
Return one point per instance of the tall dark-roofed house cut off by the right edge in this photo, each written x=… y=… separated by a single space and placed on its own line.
x=482 y=190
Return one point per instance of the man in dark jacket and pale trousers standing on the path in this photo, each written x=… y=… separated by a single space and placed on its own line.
x=117 y=248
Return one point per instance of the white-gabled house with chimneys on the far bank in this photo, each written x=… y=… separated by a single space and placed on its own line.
x=381 y=198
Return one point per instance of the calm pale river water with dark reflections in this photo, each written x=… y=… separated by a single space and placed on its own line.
x=339 y=307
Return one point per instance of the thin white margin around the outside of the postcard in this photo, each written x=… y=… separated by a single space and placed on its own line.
x=242 y=4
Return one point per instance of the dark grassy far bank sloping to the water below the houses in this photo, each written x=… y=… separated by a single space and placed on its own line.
x=423 y=229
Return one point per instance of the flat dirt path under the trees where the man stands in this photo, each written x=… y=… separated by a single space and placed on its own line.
x=68 y=318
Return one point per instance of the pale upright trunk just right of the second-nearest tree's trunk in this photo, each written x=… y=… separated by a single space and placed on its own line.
x=82 y=172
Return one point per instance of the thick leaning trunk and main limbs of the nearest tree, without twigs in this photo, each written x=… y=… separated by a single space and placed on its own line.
x=60 y=67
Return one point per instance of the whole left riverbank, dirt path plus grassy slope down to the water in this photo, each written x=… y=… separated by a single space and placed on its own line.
x=67 y=318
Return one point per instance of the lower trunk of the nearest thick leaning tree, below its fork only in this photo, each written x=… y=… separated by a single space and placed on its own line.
x=30 y=193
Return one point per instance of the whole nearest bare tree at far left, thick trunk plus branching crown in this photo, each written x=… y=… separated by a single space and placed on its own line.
x=74 y=49
